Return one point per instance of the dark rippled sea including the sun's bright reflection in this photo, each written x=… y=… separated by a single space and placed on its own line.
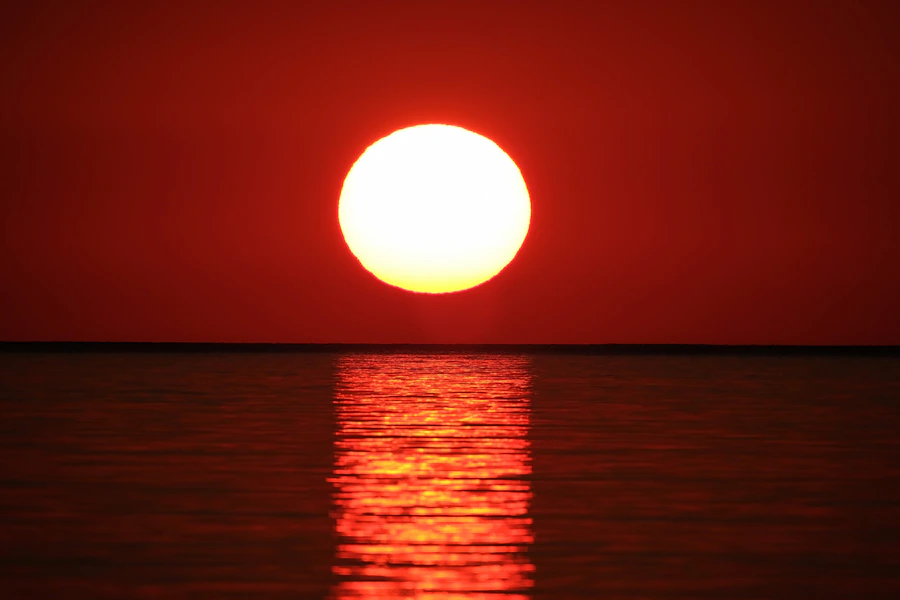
x=448 y=475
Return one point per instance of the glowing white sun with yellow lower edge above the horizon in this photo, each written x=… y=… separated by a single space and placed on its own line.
x=434 y=209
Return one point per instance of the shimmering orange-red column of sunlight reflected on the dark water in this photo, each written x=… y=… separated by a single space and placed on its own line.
x=431 y=489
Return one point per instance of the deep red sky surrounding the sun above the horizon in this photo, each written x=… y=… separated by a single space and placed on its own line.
x=700 y=172
